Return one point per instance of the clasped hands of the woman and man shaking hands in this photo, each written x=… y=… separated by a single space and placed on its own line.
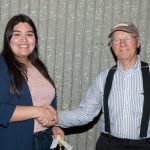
x=46 y=115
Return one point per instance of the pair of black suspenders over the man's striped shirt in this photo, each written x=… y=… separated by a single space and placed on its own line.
x=146 y=105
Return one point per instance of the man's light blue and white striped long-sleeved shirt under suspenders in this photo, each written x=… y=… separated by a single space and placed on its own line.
x=125 y=104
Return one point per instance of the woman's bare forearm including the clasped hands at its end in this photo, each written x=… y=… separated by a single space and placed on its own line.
x=45 y=115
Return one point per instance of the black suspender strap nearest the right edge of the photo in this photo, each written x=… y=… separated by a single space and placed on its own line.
x=146 y=105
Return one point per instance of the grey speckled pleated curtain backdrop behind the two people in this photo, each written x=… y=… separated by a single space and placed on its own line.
x=73 y=44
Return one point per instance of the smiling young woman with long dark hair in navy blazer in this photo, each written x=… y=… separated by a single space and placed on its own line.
x=27 y=91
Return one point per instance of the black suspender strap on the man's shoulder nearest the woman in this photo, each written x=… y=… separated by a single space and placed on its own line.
x=107 y=89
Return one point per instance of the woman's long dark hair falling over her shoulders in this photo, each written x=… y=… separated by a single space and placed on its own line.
x=17 y=70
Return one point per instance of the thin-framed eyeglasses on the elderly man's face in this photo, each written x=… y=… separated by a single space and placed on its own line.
x=127 y=40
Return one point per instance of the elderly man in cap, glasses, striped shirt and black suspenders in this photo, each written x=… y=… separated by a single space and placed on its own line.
x=122 y=93
